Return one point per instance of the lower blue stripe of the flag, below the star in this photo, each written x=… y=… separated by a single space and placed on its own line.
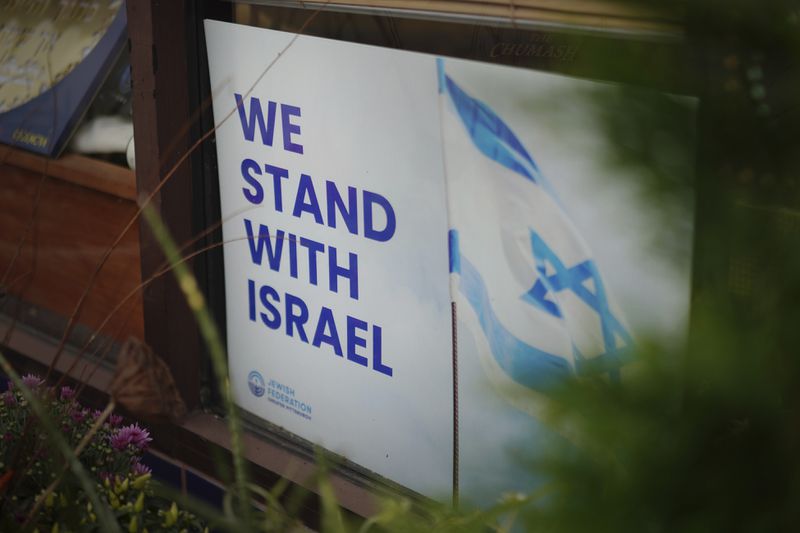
x=525 y=364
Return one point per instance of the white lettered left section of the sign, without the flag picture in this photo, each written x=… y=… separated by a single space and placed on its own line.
x=338 y=308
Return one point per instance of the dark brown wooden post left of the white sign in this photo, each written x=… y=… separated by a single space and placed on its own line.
x=159 y=50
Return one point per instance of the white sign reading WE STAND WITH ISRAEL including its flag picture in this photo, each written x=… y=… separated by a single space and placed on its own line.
x=357 y=184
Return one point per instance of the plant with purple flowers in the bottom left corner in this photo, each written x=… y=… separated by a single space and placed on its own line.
x=35 y=495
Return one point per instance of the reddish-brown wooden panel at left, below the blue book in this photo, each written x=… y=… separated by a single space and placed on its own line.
x=54 y=232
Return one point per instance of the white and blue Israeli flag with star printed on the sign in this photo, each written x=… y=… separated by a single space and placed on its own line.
x=522 y=278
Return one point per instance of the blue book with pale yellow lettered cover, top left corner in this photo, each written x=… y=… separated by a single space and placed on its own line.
x=44 y=123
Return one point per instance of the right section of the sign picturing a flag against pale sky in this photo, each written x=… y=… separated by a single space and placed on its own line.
x=551 y=253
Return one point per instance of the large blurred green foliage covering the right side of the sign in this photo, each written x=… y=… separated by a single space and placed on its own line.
x=701 y=436
